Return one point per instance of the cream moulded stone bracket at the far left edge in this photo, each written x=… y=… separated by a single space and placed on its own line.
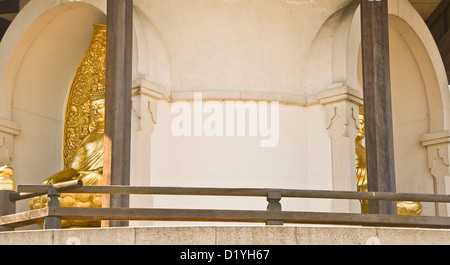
x=8 y=129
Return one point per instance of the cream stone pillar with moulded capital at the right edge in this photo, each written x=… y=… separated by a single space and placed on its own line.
x=438 y=145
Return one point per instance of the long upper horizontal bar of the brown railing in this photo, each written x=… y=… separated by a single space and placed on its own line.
x=289 y=193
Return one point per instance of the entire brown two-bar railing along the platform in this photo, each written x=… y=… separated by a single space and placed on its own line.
x=53 y=215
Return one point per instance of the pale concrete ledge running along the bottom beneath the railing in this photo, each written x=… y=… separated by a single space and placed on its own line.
x=230 y=235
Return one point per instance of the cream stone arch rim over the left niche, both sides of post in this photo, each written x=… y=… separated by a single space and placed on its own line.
x=151 y=62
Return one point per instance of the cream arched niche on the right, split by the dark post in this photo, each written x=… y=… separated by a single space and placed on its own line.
x=420 y=94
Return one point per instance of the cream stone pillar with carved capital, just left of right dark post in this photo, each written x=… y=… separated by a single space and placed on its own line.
x=342 y=115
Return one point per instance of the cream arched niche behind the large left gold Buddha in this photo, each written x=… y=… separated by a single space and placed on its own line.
x=43 y=49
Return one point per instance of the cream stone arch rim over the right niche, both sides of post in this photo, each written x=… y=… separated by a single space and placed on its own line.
x=335 y=54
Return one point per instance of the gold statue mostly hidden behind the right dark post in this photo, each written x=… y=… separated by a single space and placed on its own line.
x=403 y=207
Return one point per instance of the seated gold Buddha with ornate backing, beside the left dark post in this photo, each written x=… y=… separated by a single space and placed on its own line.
x=83 y=132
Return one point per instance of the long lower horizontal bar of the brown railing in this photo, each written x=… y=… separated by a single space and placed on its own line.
x=249 y=216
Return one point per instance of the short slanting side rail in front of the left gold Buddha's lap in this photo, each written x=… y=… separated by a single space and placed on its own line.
x=39 y=190
